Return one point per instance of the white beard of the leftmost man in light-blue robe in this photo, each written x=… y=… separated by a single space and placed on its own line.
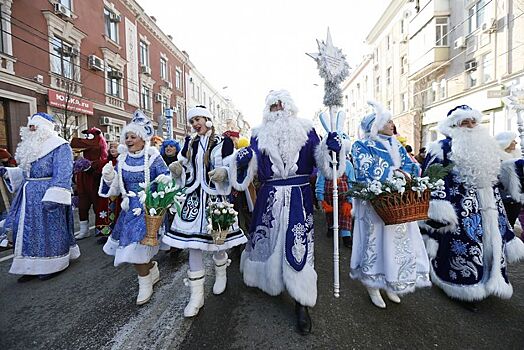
x=29 y=148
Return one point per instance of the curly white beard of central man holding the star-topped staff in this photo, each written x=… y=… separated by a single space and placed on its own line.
x=283 y=132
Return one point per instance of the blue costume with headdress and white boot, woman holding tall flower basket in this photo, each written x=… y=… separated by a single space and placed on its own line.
x=131 y=170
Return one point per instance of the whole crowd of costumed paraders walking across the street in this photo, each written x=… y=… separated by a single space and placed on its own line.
x=463 y=246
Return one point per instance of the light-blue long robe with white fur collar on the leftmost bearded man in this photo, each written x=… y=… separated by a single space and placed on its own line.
x=43 y=240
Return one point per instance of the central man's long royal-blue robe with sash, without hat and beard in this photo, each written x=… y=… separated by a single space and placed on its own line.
x=280 y=251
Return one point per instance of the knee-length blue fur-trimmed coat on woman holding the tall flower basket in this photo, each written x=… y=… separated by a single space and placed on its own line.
x=130 y=228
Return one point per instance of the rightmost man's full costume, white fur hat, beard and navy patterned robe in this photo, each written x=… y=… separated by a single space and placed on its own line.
x=469 y=239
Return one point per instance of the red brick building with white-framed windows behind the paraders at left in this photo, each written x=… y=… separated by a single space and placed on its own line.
x=105 y=58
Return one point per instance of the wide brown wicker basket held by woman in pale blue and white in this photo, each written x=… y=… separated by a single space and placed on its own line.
x=396 y=208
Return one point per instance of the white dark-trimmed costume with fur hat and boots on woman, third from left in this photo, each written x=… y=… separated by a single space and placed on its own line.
x=200 y=158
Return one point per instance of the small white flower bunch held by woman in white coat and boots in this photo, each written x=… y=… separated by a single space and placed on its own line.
x=220 y=217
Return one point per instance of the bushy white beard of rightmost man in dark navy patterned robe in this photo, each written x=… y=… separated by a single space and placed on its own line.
x=476 y=156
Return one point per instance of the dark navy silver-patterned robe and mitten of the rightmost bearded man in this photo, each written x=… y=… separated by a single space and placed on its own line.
x=470 y=240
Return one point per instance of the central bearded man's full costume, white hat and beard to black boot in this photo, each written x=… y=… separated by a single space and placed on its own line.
x=283 y=152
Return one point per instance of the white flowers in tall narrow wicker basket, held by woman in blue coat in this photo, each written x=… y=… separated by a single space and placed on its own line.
x=158 y=197
